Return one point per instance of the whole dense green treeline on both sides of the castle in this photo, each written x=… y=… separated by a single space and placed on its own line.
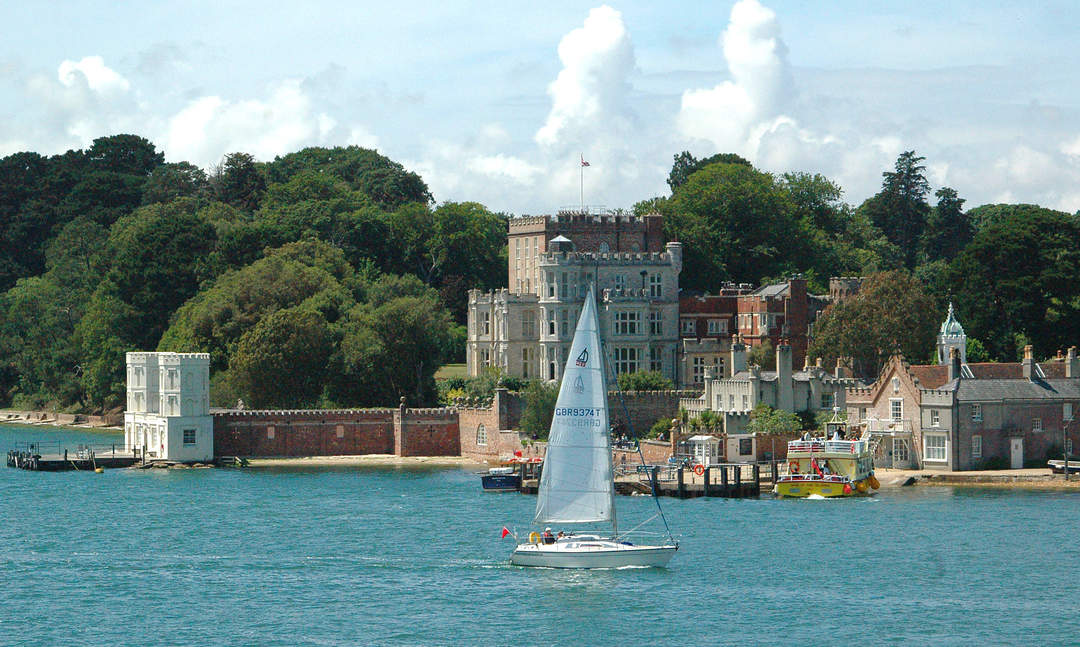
x=330 y=277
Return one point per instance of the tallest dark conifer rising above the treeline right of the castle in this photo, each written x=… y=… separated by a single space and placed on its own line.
x=900 y=210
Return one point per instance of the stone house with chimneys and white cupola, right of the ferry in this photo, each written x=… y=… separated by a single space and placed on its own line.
x=960 y=416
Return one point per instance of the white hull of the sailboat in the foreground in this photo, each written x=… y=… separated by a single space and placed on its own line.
x=603 y=555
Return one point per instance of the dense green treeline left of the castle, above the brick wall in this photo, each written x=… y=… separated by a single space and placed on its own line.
x=327 y=277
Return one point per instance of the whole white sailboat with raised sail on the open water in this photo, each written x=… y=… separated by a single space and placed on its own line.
x=577 y=484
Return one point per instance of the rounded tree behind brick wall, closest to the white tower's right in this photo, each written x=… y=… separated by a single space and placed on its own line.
x=285 y=360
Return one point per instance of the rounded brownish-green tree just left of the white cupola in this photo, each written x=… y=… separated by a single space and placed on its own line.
x=890 y=314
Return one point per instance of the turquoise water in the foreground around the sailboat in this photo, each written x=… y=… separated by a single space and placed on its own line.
x=413 y=557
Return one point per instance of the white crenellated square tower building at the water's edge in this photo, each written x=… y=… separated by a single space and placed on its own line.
x=168 y=414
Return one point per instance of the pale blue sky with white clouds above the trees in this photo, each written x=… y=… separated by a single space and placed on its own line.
x=498 y=103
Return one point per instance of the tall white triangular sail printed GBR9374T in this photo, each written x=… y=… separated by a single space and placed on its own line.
x=577 y=483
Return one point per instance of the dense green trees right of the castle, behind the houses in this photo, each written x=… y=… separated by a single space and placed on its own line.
x=1009 y=269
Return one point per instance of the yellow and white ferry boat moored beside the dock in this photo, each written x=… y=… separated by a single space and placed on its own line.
x=829 y=468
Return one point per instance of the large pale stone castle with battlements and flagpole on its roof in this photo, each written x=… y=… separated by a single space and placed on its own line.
x=526 y=331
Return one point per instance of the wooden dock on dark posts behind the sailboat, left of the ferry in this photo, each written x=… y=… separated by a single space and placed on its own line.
x=731 y=481
